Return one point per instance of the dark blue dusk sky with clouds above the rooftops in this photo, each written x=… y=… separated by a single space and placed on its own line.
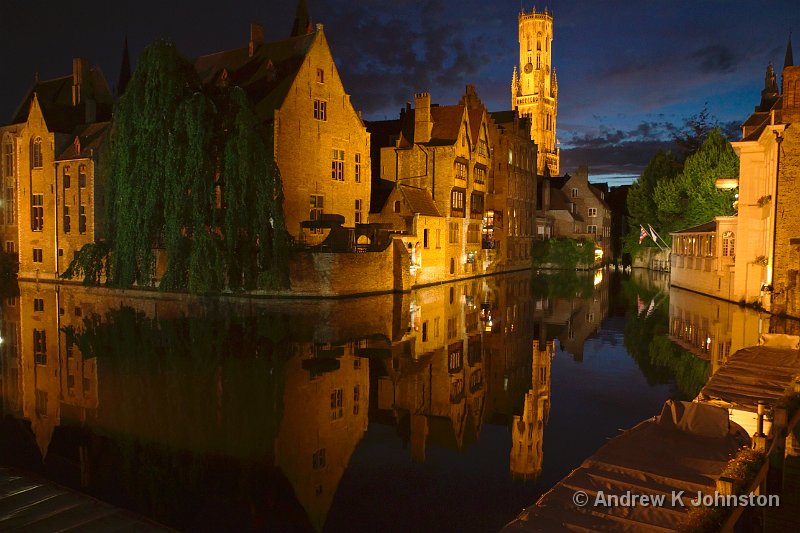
x=629 y=72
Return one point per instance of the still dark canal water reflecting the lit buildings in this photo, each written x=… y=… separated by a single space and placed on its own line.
x=426 y=411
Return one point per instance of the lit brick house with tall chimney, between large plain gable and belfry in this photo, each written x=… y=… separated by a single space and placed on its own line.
x=443 y=153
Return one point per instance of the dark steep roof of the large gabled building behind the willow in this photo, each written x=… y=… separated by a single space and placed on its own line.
x=266 y=76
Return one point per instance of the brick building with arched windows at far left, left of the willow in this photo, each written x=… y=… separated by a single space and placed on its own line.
x=50 y=151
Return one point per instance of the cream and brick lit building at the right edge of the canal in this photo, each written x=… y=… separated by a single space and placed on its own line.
x=753 y=256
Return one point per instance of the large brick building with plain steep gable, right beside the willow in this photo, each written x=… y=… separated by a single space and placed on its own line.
x=321 y=145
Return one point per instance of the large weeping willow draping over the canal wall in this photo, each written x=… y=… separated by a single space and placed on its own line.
x=192 y=172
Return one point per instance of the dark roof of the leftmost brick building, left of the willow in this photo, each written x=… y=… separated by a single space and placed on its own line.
x=55 y=100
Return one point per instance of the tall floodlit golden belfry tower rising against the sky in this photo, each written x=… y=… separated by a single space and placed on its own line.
x=534 y=89
